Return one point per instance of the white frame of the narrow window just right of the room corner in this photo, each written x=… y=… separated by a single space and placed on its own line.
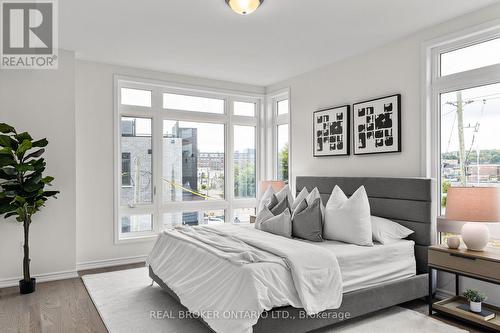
x=274 y=120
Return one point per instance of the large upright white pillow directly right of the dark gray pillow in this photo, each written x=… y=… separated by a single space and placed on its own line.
x=348 y=219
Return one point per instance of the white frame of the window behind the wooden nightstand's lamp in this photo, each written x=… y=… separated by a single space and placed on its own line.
x=433 y=85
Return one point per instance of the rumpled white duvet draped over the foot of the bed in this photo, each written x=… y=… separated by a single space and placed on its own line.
x=230 y=274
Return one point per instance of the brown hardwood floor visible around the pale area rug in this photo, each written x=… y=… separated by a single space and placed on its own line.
x=65 y=306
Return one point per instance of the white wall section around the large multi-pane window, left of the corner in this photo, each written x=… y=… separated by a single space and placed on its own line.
x=94 y=147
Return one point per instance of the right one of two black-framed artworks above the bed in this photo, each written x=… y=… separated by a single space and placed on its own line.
x=377 y=126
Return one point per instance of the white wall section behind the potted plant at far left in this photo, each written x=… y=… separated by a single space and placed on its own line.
x=42 y=102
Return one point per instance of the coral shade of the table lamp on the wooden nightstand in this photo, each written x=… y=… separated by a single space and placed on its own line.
x=474 y=204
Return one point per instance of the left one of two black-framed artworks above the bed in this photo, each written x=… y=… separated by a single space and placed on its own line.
x=331 y=129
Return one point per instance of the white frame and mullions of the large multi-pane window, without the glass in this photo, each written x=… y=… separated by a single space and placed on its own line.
x=156 y=112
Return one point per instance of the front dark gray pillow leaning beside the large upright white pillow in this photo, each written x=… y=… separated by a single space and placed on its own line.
x=308 y=223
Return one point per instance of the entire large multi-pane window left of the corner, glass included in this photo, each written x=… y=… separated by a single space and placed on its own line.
x=184 y=156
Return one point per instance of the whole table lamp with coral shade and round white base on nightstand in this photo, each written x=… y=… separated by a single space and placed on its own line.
x=475 y=205
